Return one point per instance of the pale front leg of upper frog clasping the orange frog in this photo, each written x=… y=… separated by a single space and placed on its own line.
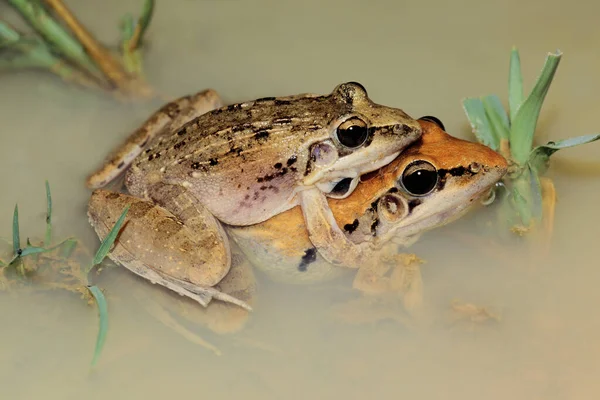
x=326 y=235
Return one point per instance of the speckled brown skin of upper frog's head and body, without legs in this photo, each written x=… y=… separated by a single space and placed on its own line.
x=245 y=162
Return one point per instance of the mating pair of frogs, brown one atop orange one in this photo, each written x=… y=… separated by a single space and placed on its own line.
x=249 y=163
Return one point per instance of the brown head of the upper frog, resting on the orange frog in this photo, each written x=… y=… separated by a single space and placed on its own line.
x=363 y=136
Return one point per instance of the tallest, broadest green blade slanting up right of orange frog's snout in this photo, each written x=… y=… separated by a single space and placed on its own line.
x=525 y=120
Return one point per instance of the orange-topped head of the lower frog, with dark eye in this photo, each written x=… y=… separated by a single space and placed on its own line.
x=433 y=182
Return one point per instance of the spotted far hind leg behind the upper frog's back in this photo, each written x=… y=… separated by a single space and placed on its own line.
x=163 y=121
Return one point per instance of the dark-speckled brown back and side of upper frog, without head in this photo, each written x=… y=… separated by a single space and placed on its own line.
x=248 y=157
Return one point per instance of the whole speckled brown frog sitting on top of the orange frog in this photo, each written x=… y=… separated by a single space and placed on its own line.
x=241 y=164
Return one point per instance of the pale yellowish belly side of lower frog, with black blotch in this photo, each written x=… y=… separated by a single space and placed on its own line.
x=284 y=258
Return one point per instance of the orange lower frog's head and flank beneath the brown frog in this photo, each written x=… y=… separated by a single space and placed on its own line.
x=281 y=246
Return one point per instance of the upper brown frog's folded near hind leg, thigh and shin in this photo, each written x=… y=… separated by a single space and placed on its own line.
x=157 y=245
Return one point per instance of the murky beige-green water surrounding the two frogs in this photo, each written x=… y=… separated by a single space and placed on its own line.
x=421 y=56
